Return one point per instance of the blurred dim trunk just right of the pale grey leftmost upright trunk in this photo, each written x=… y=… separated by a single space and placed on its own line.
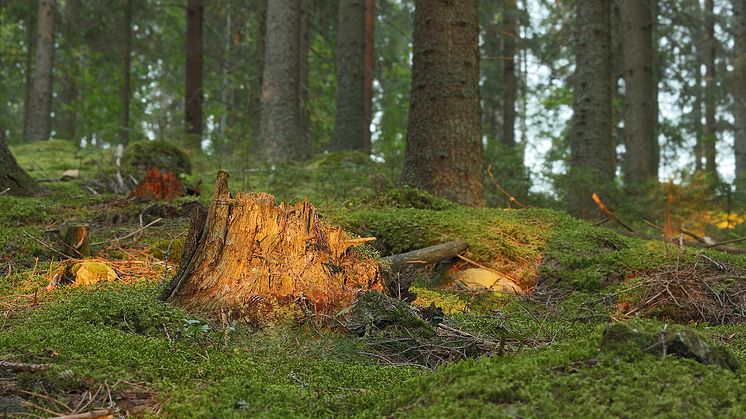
x=69 y=94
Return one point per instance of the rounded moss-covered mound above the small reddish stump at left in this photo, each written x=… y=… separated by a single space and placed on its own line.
x=140 y=156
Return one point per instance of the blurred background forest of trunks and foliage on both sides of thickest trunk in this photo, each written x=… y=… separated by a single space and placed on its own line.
x=668 y=102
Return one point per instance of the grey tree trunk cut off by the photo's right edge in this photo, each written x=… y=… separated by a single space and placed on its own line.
x=739 y=94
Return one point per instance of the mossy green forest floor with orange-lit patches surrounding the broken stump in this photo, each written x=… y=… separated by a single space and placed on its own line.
x=115 y=346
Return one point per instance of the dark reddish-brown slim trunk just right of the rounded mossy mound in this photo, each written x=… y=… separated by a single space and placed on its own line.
x=193 y=89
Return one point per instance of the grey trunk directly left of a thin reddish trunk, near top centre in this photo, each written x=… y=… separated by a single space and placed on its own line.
x=349 y=123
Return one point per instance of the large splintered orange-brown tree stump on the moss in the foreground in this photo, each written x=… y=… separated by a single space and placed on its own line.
x=247 y=252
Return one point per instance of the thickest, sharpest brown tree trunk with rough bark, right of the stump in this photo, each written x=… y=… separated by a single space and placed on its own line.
x=444 y=136
